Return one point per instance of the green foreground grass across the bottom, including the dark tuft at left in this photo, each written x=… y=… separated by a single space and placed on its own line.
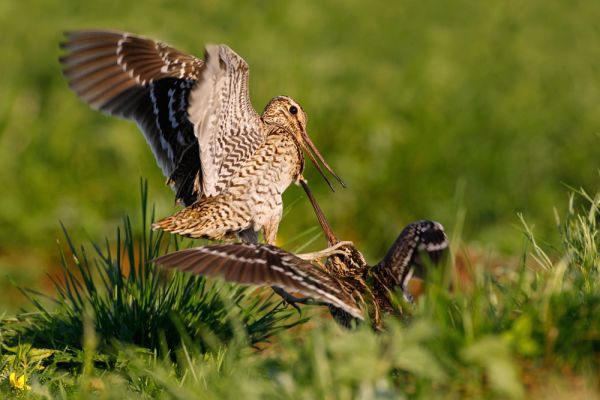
x=526 y=330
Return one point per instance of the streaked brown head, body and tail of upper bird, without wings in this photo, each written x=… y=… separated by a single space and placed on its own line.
x=252 y=200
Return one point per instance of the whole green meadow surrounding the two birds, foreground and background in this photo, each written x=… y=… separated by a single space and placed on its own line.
x=484 y=116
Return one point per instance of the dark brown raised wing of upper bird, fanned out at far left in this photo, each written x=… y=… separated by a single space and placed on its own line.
x=146 y=81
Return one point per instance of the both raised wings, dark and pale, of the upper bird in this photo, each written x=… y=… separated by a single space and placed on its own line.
x=195 y=114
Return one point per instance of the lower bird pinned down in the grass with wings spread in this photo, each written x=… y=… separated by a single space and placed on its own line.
x=351 y=288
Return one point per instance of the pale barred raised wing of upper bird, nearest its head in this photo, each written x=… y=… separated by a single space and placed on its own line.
x=228 y=128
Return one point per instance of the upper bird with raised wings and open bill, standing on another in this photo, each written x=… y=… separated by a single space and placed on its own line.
x=227 y=164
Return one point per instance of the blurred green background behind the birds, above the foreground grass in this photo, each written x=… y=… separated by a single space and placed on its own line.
x=425 y=108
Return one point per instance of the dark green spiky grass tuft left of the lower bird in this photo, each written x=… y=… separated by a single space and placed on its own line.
x=128 y=300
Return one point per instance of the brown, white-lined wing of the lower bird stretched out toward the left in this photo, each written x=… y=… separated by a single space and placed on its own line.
x=263 y=265
